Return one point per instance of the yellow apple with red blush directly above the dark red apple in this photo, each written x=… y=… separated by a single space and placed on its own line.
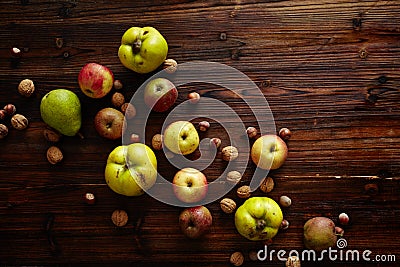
x=190 y=185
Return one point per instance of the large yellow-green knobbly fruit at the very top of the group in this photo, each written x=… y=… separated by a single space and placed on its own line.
x=142 y=49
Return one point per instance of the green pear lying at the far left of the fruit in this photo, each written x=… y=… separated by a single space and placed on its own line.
x=61 y=110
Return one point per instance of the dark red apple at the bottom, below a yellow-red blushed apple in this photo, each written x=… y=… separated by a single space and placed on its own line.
x=195 y=221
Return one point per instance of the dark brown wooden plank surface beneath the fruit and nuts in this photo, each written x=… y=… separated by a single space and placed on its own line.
x=330 y=71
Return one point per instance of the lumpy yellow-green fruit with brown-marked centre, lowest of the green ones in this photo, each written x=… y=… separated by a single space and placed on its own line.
x=258 y=218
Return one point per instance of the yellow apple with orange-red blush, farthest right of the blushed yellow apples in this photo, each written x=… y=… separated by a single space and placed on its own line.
x=269 y=152
